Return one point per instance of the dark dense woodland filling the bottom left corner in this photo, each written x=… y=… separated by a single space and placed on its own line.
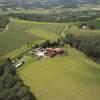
x=11 y=86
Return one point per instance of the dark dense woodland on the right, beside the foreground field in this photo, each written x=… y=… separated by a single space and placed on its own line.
x=90 y=45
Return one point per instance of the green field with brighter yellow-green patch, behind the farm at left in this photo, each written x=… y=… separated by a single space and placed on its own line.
x=20 y=32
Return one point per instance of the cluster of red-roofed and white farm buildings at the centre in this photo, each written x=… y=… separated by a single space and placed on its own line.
x=48 y=52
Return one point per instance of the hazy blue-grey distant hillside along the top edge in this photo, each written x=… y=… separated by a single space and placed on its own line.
x=39 y=3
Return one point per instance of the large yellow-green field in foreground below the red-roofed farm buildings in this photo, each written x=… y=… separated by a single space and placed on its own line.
x=63 y=78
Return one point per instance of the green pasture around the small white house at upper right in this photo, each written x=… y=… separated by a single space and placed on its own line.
x=74 y=29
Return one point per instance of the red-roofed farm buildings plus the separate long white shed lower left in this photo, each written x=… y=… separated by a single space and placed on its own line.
x=42 y=52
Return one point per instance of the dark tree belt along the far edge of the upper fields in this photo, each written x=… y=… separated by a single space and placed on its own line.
x=66 y=17
